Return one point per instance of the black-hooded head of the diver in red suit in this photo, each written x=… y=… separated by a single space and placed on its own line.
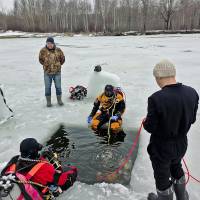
x=29 y=148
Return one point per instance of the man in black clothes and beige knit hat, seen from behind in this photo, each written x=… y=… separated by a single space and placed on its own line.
x=171 y=111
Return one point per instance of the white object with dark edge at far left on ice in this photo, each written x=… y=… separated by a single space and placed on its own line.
x=5 y=111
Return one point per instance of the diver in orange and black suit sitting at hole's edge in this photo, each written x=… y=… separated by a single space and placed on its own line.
x=108 y=107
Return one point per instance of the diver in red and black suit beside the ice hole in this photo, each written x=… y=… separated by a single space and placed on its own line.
x=46 y=176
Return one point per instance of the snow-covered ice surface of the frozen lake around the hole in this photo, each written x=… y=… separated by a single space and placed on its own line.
x=132 y=59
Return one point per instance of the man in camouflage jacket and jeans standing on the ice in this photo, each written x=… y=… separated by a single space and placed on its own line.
x=52 y=59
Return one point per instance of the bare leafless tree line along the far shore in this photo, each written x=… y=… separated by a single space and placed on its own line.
x=113 y=16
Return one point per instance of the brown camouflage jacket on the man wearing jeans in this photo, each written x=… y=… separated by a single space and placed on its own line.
x=52 y=60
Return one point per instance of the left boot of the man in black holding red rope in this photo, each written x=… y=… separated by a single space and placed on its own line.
x=161 y=195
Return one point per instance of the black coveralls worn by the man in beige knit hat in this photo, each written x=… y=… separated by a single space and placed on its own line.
x=171 y=111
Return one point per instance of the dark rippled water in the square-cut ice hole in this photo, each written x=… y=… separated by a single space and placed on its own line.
x=92 y=155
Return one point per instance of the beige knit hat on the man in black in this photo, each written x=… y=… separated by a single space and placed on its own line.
x=164 y=69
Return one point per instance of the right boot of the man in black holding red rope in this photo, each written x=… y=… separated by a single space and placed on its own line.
x=179 y=189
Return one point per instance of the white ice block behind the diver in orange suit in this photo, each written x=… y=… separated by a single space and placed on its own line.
x=98 y=81
